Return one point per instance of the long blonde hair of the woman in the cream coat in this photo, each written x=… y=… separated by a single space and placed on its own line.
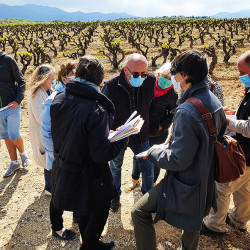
x=39 y=77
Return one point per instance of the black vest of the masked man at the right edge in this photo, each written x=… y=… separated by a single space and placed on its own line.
x=243 y=113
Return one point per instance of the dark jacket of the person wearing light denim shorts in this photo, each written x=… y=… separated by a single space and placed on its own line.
x=12 y=83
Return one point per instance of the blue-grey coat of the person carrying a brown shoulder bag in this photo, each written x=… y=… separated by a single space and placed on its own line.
x=189 y=187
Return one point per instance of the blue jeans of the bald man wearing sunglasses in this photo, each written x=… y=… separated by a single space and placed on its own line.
x=145 y=166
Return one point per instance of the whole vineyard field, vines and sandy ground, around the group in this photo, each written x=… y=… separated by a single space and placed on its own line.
x=24 y=212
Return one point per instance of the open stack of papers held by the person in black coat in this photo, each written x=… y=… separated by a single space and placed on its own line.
x=132 y=126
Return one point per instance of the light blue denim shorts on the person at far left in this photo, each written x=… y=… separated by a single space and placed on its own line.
x=10 y=120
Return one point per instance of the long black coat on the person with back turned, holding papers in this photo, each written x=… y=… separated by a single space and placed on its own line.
x=80 y=123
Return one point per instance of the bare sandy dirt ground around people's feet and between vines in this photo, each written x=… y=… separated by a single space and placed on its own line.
x=24 y=209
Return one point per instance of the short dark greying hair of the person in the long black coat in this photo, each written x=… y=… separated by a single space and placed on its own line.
x=90 y=69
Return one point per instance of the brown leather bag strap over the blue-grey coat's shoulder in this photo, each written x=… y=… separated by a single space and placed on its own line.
x=206 y=115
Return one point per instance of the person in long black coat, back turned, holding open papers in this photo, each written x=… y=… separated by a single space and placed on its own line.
x=81 y=179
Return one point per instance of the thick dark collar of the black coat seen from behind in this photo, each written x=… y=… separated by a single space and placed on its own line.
x=76 y=88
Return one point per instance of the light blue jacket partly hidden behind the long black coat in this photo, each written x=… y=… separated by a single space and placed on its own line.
x=46 y=126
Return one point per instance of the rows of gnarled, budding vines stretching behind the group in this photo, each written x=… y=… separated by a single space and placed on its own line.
x=34 y=44
